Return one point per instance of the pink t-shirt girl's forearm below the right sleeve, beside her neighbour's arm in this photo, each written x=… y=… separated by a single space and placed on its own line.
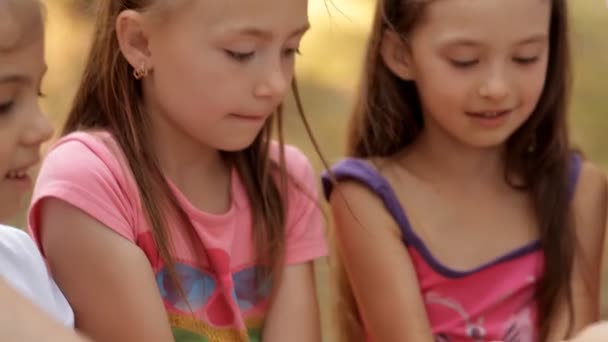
x=294 y=313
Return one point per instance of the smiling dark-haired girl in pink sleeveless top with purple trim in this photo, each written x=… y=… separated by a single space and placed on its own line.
x=462 y=214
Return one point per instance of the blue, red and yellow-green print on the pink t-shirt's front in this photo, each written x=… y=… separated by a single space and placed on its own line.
x=207 y=311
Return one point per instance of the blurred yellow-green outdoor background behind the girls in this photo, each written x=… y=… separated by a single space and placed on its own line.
x=328 y=75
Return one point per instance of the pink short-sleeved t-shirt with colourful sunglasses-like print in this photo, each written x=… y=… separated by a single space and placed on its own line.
x=87 y=171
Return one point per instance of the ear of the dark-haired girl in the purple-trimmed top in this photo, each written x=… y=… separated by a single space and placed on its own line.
x=396 y=55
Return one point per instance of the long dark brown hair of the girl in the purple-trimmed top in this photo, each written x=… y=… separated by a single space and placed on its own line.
x=388 y=117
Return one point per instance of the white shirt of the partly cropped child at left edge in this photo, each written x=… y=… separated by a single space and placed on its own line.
x=22 y=266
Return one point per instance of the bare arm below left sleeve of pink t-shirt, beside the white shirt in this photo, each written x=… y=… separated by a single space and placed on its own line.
x=106 y=278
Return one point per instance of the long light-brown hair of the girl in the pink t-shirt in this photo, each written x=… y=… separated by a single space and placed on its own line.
x=110 y=98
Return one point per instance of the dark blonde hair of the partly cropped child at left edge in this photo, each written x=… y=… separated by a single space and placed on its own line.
x=25 y=17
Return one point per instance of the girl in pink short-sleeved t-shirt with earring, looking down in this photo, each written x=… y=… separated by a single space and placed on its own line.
x=166 y=211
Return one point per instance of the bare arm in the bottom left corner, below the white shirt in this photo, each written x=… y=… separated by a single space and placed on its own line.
x=21 y=320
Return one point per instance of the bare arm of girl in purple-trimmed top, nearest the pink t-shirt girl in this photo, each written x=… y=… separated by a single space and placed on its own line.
x=378 y=266
